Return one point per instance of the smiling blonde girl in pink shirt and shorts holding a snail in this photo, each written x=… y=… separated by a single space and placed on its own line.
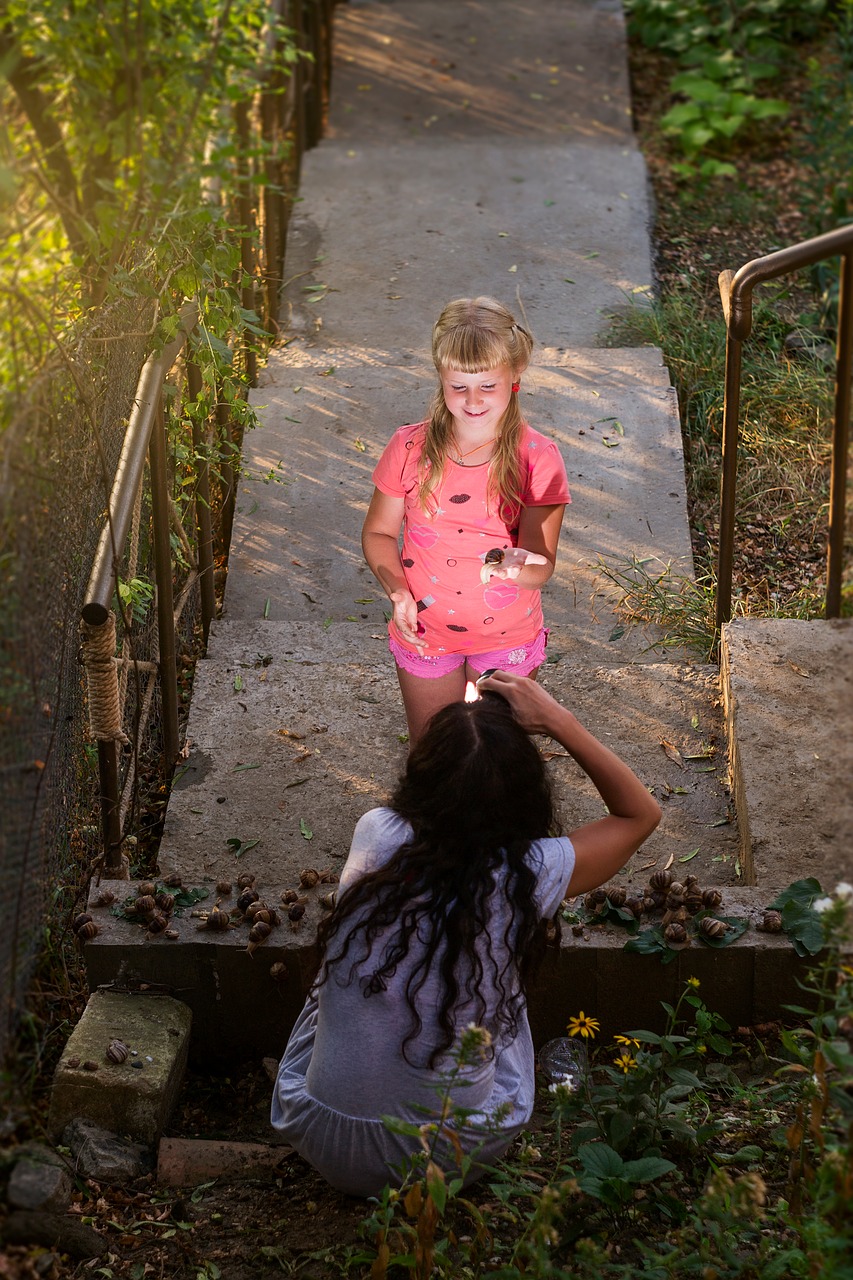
x=480 y=497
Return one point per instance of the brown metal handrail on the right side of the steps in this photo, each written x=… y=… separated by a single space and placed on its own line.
x=736 y=291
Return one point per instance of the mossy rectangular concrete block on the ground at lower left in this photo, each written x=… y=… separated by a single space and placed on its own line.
x=135 y=1098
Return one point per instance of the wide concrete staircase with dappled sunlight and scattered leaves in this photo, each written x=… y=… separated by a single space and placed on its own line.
x=475 y=148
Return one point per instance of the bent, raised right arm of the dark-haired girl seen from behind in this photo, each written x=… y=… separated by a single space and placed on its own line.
x=603 y=848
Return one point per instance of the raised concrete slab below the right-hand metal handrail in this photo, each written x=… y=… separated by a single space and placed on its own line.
x=788 y=691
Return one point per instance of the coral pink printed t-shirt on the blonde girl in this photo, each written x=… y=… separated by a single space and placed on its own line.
x=444 y=552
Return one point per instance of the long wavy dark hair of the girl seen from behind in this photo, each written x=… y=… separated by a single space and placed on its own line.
x=476 y=794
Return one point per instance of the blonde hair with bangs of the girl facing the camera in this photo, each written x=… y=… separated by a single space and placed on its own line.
x=473 y=335
